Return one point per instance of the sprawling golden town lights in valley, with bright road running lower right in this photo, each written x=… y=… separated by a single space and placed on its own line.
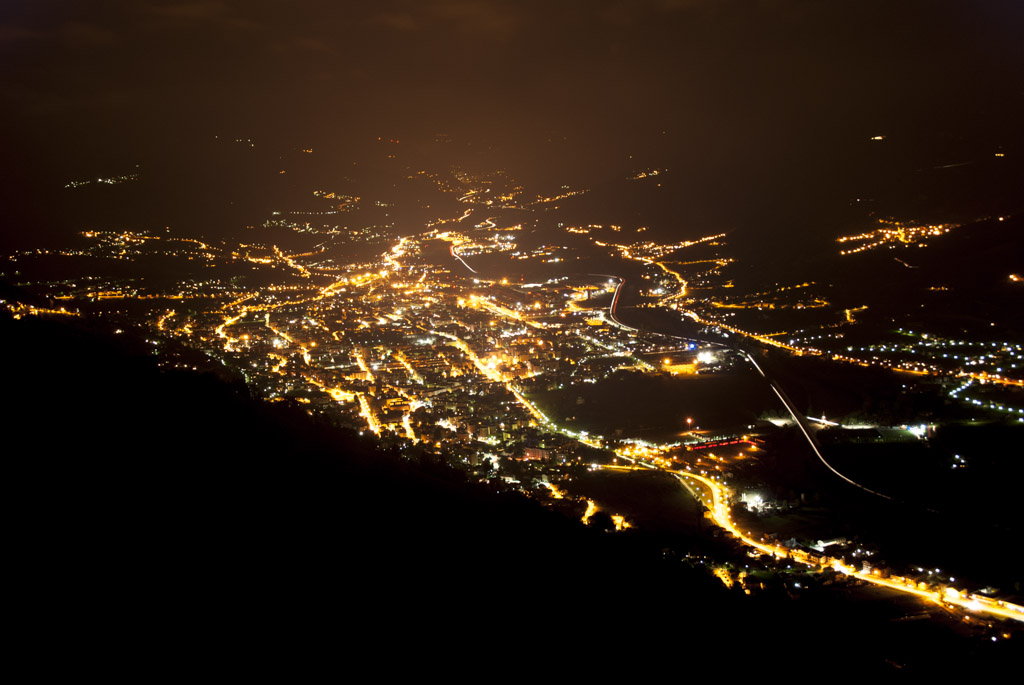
x=408 y=351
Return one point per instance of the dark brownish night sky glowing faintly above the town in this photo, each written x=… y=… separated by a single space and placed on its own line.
x=738 y=90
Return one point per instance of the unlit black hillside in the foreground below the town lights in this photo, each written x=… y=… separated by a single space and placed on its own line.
x=160 y=521
